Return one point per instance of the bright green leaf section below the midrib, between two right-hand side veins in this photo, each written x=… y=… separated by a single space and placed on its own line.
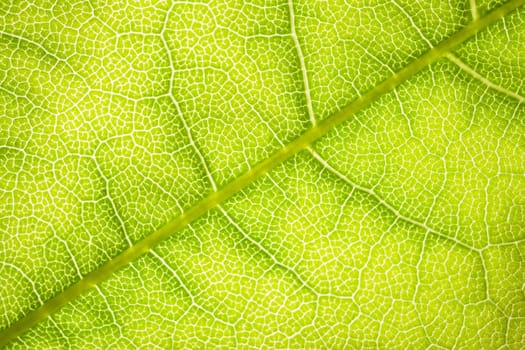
x=455 y=167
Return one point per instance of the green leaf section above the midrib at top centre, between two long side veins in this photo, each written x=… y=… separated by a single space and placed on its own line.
x=239 y=87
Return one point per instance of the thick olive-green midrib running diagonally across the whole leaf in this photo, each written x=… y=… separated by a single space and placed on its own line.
x=314 y=133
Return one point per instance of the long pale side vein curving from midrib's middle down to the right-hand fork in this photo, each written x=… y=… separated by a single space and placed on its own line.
x=385 y=204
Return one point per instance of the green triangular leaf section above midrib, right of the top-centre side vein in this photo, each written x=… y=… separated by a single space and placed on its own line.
x=351 y=47
